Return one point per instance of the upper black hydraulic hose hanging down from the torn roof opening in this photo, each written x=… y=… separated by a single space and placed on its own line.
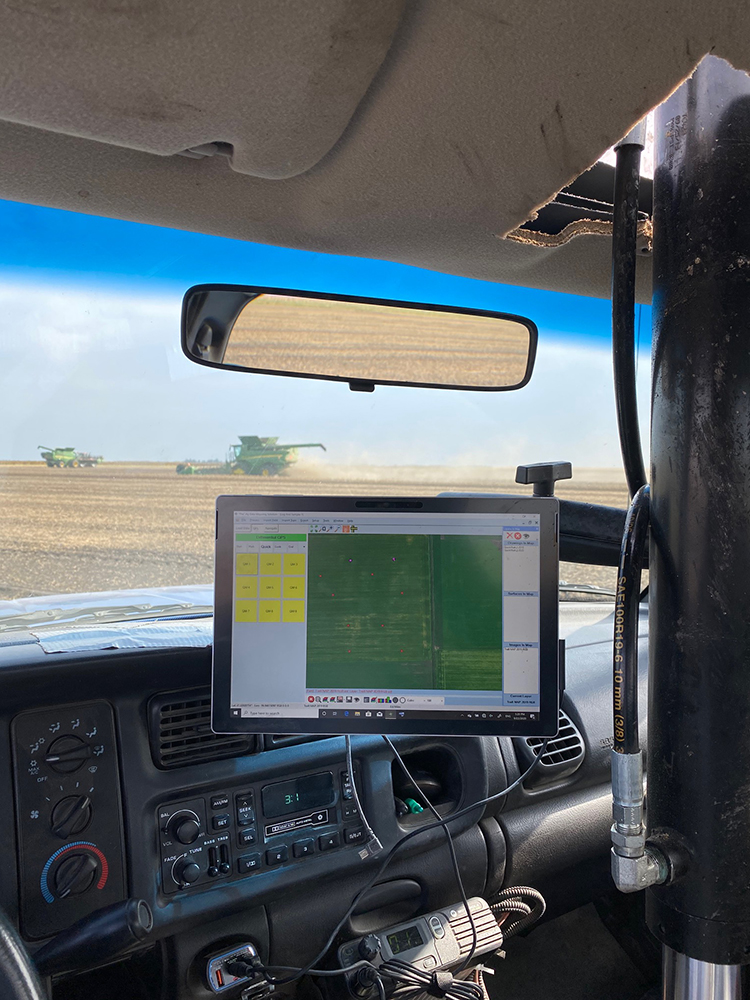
x=624 y=238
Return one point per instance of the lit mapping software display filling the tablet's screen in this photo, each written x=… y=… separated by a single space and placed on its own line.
x=385 y=613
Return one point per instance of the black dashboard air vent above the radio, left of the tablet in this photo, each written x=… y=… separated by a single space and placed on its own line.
x=181 y=731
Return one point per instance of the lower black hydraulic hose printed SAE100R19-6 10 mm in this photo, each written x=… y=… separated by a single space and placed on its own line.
x=625 y=659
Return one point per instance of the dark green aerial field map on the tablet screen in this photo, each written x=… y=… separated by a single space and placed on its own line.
x=405 y=611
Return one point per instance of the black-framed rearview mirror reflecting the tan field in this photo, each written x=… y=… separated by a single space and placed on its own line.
x=365 y=342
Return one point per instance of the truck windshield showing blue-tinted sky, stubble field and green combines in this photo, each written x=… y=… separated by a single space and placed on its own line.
x=115 y=446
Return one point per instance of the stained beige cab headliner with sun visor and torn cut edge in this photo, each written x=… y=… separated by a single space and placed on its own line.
x=412 y=130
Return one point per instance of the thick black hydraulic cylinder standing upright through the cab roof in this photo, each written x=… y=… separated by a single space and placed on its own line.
x=699 y=594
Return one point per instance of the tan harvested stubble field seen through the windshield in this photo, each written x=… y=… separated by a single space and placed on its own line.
x=121 y=526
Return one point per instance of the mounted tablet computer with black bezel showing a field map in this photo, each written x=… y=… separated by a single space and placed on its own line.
x=418 y=615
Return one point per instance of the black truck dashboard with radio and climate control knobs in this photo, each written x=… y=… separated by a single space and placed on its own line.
x=120 y=789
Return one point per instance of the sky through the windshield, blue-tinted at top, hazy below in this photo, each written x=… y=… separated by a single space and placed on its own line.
x=90 y=349
